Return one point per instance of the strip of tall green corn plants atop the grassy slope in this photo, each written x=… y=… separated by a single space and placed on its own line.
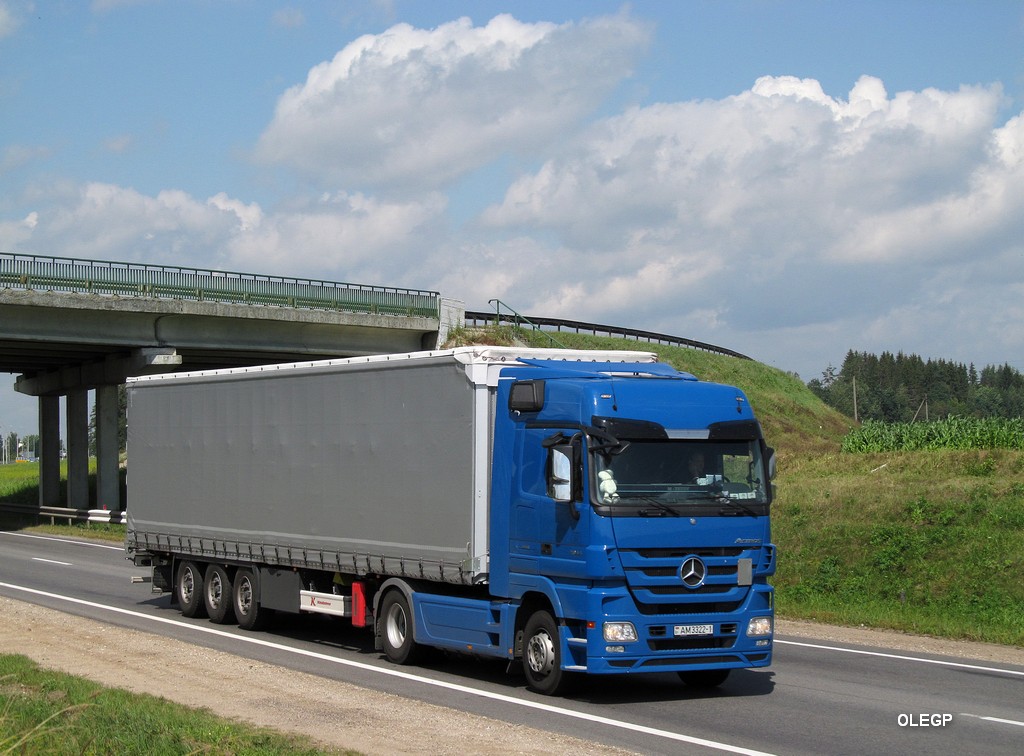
x=953 y=434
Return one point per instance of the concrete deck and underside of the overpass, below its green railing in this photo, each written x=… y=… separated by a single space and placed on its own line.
x=40 y=333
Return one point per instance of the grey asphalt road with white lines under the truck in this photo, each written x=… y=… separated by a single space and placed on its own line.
x=819 y=698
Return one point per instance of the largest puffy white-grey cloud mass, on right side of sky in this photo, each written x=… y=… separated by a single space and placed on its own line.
x=780 y=208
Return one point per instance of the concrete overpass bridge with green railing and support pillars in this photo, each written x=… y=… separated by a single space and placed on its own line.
x=68 y=327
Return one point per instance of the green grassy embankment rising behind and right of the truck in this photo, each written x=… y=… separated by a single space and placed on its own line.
x=924 y=542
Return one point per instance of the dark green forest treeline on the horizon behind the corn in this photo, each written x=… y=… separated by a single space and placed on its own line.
x=906 y=388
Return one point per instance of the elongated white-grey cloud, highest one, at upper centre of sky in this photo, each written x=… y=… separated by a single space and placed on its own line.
x=415 y=109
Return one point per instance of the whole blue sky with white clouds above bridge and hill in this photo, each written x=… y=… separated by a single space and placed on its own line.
x=790 y=180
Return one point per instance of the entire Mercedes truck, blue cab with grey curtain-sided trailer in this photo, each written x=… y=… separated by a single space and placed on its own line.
x=573 y=512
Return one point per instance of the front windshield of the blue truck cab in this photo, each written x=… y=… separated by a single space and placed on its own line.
x=663 y=474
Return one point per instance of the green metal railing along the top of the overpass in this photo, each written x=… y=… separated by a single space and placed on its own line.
x=172 y=282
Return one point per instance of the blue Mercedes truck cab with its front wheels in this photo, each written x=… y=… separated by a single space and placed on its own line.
x=630 y=510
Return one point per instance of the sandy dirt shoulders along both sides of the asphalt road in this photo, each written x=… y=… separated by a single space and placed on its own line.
x=336 y=715
